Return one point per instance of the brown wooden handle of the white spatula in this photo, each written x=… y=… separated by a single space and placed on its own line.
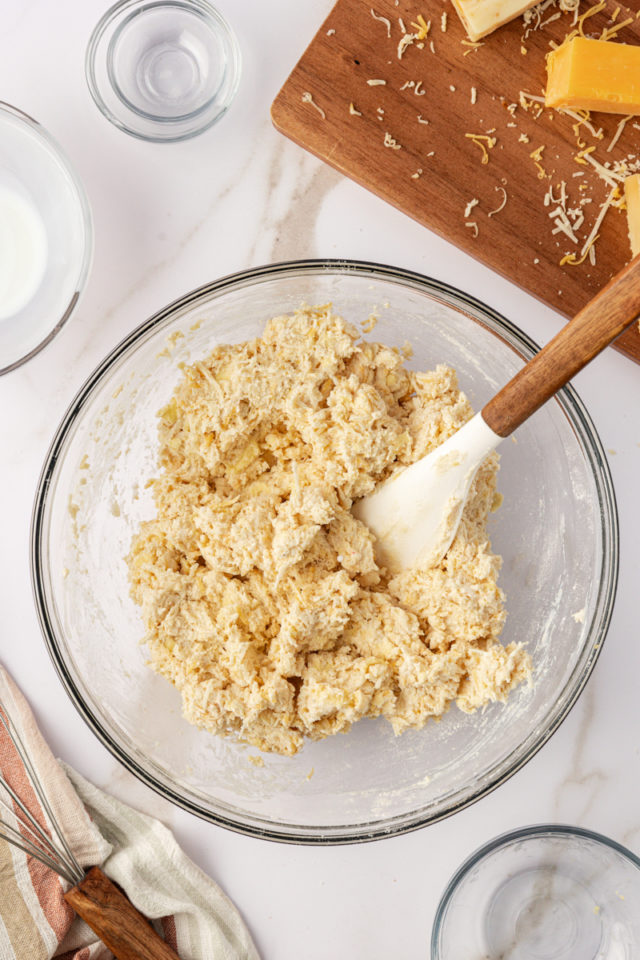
x=603 y=319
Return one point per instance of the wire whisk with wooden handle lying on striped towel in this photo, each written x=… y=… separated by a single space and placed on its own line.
x=95 y=898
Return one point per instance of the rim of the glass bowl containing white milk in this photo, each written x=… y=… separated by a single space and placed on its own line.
x=52 y=145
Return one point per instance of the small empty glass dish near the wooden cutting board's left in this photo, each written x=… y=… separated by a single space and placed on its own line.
x=164 y=70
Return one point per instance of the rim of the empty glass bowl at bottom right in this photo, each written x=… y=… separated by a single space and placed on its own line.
x=534 y=831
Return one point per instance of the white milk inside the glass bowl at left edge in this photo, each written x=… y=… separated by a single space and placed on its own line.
x=23 y=251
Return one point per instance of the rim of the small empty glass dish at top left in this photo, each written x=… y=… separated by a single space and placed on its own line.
x=208 y=13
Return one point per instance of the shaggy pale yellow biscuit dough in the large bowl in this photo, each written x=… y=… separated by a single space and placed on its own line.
x=260 y=591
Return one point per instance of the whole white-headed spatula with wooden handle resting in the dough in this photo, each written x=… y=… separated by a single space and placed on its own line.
x=415 y=514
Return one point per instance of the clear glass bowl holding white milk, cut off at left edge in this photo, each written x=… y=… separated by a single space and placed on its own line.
x=45 y=238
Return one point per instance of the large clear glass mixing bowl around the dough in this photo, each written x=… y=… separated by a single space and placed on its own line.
x=556 y=530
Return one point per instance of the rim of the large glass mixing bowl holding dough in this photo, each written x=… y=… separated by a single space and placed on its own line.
x=574 y=411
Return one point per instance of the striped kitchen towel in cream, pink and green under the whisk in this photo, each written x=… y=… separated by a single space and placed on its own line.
x=189 y=910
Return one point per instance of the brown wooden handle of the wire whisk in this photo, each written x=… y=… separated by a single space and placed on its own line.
x=113 y=917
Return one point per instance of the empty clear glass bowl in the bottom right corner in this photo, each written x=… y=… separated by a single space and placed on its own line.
x=548 y=892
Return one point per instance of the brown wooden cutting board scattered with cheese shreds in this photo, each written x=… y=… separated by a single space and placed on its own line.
x=434 y=171
